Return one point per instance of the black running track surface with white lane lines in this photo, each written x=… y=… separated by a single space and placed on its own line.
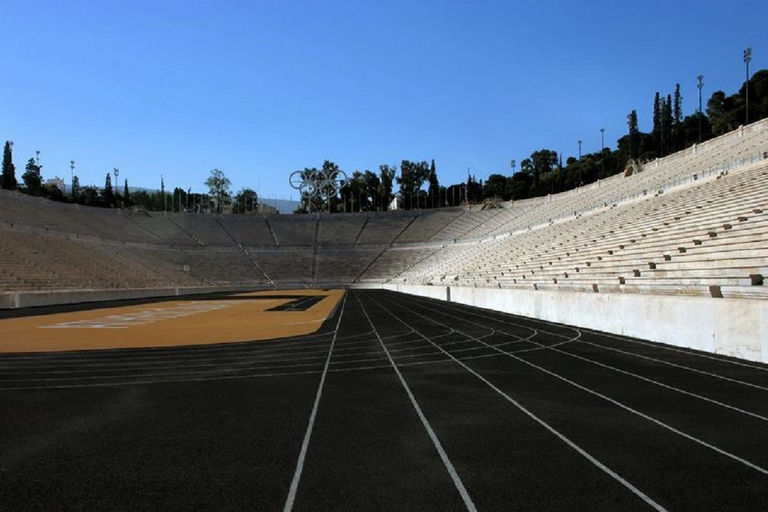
x=398 y=403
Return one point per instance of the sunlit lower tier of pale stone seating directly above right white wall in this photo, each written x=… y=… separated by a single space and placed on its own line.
x=710 y=239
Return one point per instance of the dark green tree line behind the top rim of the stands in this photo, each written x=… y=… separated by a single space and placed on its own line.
x=418 y=187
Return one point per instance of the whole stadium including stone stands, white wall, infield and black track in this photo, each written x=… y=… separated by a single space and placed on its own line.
x=609 y=341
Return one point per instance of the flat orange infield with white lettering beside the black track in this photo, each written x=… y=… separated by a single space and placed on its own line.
x=242 y=317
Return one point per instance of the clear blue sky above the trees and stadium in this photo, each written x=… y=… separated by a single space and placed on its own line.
x=262 y=88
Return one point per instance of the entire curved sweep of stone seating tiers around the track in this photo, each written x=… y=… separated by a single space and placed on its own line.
x=693 y=223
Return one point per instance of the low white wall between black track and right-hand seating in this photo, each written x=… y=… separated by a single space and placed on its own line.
x=731 y=327
